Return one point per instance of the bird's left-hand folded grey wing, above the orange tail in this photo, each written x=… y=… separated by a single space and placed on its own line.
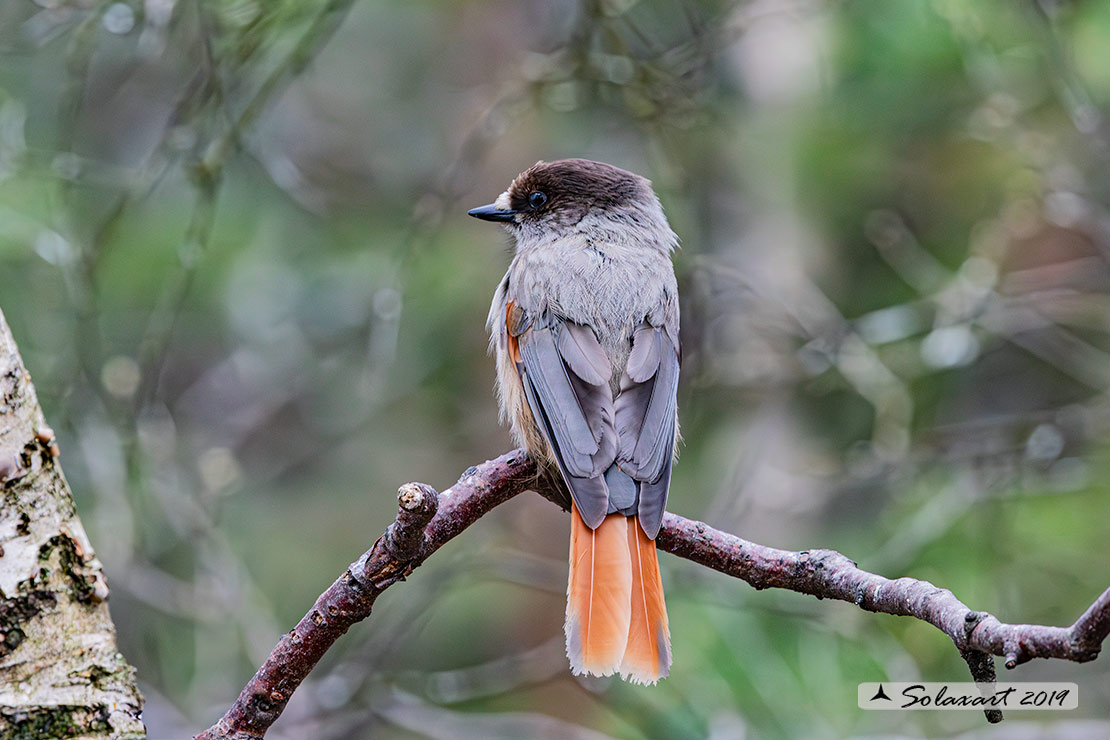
x=566 y=376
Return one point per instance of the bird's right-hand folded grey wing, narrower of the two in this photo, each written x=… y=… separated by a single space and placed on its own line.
x=647 y=413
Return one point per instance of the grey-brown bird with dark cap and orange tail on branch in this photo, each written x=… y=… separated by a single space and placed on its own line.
x=584 y=328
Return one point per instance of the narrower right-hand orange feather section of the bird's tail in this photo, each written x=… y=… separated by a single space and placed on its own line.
x=648 y=656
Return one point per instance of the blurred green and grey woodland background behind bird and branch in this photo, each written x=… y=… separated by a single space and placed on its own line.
x=235 y=254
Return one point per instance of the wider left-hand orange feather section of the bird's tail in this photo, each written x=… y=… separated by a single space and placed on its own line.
x=599 y=610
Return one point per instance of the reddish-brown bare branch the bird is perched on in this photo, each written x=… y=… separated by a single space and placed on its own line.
x=426 y=522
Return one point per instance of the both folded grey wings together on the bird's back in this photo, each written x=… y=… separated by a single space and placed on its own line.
x=614 y=453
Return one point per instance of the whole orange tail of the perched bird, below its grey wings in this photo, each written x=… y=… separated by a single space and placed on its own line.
x=617 y=620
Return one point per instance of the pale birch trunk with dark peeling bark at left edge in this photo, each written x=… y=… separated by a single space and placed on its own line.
x=62 y=675
